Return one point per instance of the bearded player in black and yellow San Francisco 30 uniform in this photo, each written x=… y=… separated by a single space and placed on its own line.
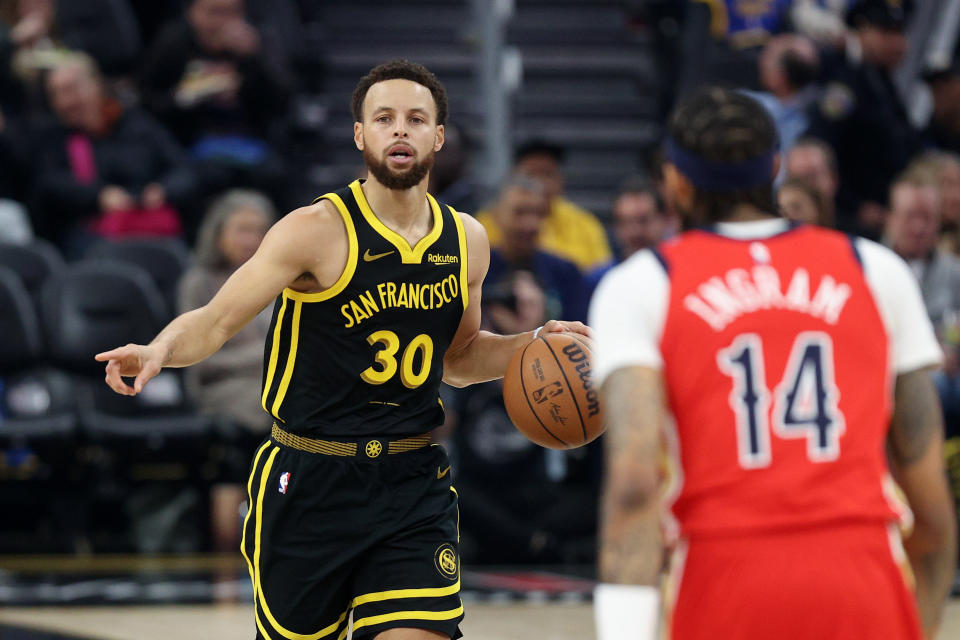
x=377 y=298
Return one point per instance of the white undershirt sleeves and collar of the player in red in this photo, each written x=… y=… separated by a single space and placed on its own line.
x=629 y=308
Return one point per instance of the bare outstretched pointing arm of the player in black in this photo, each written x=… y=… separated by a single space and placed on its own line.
x=288 y=250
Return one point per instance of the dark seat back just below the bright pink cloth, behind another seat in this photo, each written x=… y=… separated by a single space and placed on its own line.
x=165 y=259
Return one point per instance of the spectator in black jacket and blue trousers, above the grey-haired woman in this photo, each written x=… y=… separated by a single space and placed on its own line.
x=223 y=88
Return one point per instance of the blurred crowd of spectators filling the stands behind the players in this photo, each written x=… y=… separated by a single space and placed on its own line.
x=121 y=120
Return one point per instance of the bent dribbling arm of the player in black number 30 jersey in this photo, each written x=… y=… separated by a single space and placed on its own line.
x=478 y=356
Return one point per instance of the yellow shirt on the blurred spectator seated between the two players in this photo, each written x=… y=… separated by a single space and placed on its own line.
x=570 y=232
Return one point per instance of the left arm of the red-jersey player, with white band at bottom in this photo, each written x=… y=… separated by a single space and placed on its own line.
x=631 y=545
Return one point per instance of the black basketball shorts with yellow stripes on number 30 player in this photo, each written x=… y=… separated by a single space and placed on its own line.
x=330 y=535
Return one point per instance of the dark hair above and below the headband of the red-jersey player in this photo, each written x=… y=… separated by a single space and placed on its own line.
x=725 y=126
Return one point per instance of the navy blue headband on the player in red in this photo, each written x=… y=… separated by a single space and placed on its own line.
x=709 y=175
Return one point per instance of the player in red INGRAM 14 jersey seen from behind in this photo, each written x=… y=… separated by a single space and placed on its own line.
x=795 y=362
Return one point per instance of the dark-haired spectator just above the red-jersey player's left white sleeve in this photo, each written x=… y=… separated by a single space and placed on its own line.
x=640 y=221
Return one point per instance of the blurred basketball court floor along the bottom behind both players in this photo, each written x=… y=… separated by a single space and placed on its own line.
x=206 y=598
